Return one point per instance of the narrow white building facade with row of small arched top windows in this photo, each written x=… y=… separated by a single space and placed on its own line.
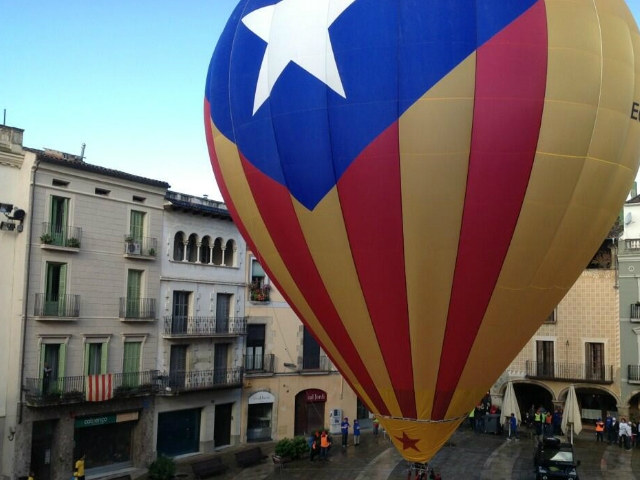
x=202 y=328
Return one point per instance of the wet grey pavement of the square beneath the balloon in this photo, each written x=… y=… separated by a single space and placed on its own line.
x=468 y=456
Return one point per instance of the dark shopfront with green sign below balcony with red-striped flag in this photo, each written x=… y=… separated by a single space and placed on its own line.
x=105 y=440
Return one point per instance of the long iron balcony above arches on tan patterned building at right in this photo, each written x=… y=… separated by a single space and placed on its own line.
x=569 y=372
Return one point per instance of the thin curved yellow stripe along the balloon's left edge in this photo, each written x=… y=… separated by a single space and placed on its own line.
x=243 y=200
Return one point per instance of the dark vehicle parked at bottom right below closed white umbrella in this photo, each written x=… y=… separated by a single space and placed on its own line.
x=554 y=459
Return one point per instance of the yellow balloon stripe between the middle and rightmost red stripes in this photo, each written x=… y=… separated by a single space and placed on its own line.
x=439 y=123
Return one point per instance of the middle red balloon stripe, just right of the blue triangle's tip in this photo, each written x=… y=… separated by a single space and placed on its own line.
x=377 y=245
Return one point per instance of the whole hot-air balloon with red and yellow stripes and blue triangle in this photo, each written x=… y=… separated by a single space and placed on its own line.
x=424 y=180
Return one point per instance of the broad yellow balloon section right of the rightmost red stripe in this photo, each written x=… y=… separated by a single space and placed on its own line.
x=566 y=184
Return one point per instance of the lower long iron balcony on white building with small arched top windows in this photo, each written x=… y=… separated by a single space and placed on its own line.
x=191 y=381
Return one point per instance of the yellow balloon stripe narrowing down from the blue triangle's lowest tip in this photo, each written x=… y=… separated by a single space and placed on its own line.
x=326 y=237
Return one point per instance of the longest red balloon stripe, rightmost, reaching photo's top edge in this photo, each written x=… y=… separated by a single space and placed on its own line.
x=511 y=77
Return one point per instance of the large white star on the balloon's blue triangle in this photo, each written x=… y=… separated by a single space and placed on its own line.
x=296 y=31
